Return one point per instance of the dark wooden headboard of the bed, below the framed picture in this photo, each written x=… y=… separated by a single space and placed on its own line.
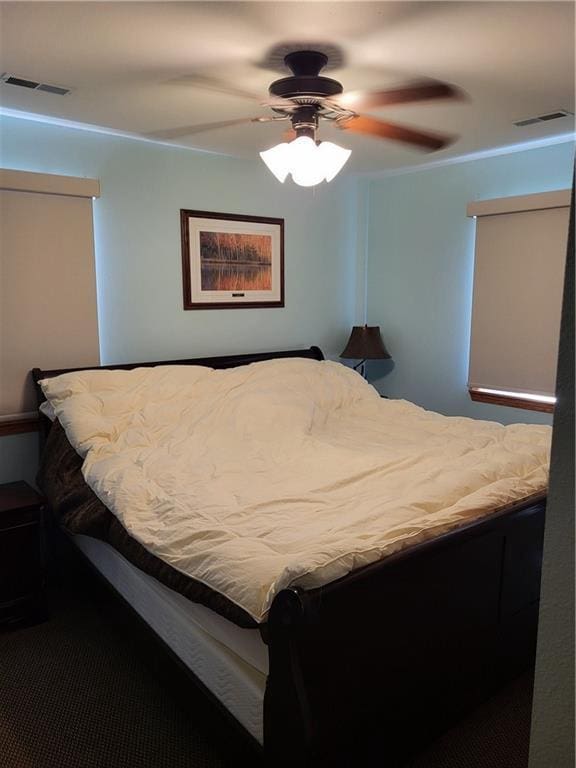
x=227 y=361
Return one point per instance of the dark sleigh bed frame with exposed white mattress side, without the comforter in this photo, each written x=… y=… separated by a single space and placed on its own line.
x=369 y=665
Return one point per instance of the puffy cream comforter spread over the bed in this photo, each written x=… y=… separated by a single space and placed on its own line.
x=283 y=472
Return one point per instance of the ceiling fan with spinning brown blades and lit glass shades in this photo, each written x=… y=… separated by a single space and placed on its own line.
x=306 y=98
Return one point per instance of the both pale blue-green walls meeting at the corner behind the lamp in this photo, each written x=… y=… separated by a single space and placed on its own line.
x=396 y=250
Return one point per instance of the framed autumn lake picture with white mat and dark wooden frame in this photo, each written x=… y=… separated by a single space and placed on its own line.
x=230 y=261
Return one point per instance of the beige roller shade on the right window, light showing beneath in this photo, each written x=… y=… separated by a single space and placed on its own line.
x=518 y=281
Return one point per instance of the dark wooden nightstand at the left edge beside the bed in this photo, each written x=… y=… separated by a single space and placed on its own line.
x=22 y=557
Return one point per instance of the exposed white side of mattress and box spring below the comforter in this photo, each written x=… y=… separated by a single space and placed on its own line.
x=231 y=662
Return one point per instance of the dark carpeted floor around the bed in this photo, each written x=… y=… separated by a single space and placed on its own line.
x=81 y=691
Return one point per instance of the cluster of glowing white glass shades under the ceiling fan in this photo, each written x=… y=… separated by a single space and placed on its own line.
x=308 y=162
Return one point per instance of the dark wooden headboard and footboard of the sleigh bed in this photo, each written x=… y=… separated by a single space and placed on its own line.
x=367 y=668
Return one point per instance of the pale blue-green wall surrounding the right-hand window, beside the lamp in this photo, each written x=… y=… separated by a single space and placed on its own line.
x=420 y=268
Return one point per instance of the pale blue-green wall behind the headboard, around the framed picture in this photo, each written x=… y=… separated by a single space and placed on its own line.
x=137 y=238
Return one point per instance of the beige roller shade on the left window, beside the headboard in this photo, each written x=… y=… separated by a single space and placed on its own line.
x=48 y=315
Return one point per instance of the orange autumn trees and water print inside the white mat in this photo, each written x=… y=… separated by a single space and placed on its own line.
x=235 y=261
